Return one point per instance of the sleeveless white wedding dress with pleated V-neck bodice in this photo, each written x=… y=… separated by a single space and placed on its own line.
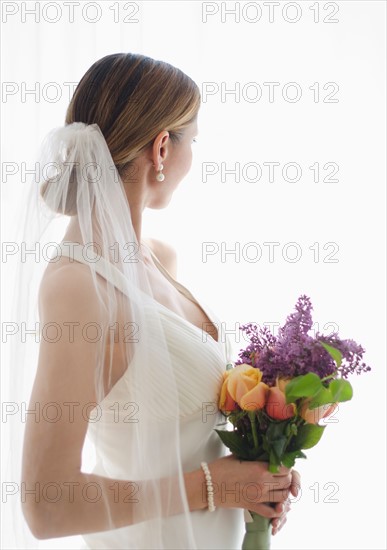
x=199 y=362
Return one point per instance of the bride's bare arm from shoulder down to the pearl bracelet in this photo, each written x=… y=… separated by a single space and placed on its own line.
x=52 y=452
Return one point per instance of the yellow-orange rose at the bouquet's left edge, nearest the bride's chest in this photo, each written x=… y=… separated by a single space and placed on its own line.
x=242 y=385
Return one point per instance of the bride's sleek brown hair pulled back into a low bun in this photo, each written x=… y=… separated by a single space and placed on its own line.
x=132 y=98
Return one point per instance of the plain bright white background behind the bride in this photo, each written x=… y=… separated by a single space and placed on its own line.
x=350 y=132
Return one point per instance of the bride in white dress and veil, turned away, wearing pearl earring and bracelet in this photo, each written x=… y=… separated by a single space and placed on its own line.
x=130 y=368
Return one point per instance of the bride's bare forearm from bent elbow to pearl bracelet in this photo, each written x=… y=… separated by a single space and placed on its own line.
x=90 y=503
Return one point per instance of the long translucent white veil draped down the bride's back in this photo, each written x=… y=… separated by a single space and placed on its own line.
x=78 y=176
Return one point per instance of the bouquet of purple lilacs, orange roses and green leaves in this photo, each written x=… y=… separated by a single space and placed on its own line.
x=277 y=393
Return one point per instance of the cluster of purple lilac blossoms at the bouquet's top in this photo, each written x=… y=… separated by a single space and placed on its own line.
x=293 y=352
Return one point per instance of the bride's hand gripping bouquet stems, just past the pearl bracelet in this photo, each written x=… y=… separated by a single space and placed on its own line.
x=249 y=485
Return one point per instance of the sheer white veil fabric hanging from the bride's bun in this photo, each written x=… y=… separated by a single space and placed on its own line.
x=79 y=176
